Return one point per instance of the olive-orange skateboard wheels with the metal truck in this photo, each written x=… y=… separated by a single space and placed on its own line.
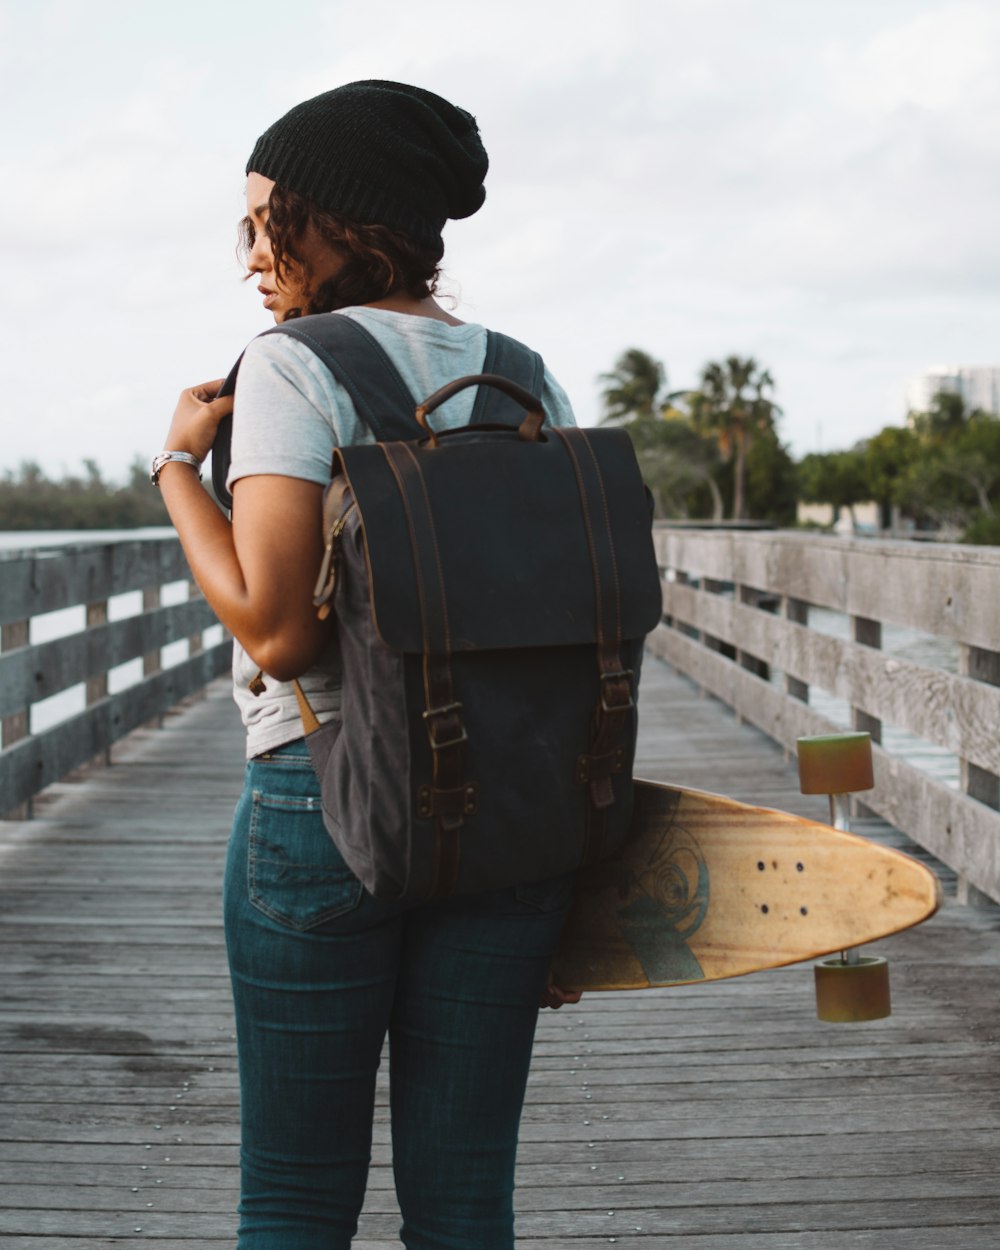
x=851 y=988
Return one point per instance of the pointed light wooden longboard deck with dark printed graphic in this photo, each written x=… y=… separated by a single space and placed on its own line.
x=708 y=888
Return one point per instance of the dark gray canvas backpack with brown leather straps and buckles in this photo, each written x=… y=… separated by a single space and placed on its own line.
x=491 y=588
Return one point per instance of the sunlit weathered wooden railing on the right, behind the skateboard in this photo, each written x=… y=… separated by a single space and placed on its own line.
x=737 y=613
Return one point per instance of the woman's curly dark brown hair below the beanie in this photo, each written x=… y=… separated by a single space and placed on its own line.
x=378 y=262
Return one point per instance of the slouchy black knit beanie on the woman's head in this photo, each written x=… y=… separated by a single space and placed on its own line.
x=382 y=154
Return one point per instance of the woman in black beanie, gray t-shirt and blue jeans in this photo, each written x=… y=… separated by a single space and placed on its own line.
x=347 y=199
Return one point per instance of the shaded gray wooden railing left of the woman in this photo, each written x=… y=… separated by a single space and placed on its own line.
x=89 y=579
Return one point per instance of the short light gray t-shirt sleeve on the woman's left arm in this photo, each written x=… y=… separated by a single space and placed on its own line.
x=289 y=413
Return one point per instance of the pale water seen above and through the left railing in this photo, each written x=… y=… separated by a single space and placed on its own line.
x=72 y=621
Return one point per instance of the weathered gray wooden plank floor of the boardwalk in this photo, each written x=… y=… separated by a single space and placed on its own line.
x=713 y=1118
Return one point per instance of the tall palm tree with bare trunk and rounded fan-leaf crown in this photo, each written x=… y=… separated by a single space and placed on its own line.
x=733 y=407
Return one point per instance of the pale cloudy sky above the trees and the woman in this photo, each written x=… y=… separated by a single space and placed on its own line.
x=812 y=183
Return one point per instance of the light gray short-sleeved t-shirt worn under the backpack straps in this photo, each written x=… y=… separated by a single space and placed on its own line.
x=291 y=414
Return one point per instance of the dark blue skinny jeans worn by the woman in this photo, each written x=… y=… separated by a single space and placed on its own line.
x=321 y=973
